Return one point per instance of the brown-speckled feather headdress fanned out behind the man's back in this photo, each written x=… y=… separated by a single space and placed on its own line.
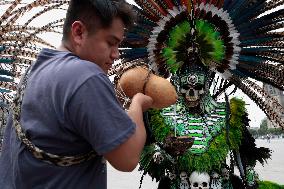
x=21 y=39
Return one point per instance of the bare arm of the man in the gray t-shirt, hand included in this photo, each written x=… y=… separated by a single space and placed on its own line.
x=126 y=156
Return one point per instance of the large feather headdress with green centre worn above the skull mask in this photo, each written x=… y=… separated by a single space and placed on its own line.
x=240 y=40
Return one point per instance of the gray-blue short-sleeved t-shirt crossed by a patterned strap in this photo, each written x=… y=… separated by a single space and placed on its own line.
x=69 y=108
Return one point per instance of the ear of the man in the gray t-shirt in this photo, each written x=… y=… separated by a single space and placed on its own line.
x=78 y=31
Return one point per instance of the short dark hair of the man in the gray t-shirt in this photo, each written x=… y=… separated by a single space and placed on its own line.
x=97 y=14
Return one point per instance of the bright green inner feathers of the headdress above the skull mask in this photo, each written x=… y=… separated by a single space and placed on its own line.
x=210 y=45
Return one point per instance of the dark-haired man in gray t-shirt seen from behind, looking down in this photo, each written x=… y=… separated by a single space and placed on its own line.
x=70 y=108
